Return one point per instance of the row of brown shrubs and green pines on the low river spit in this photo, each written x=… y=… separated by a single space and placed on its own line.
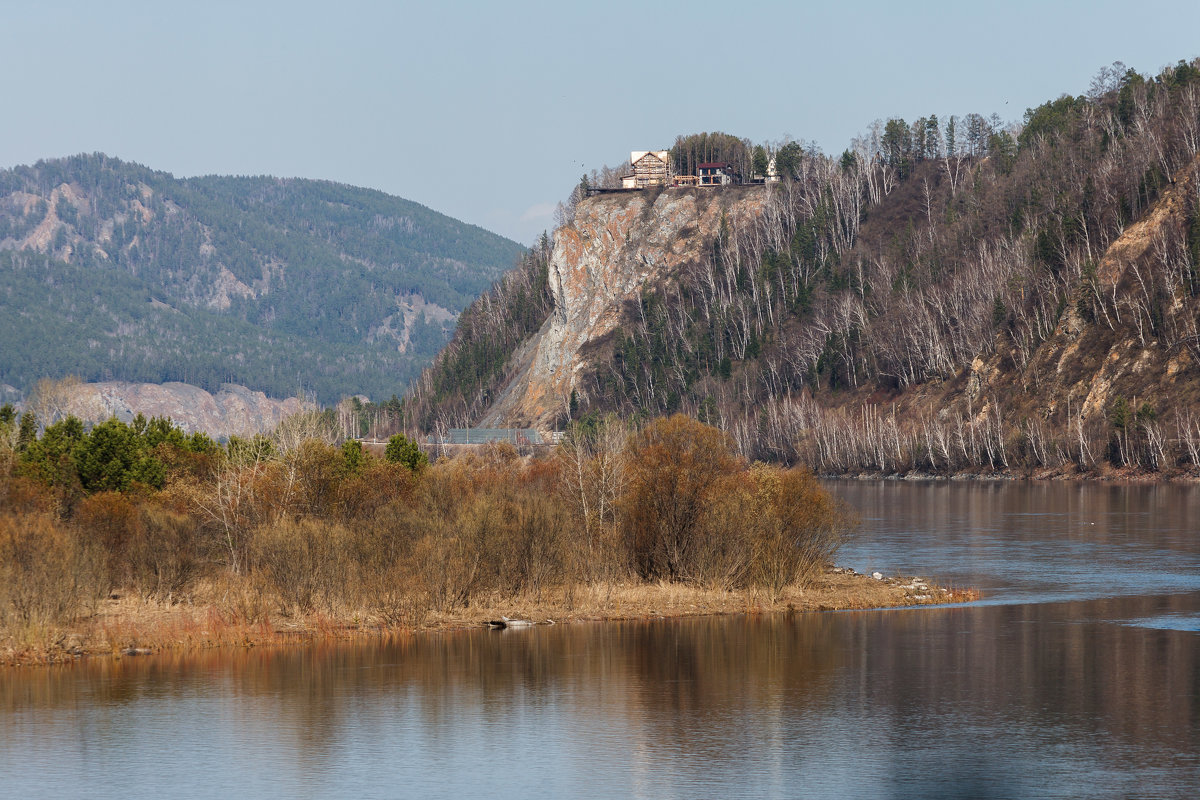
x=299 y=521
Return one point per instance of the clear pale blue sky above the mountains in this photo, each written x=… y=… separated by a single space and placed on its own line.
x=490 y=112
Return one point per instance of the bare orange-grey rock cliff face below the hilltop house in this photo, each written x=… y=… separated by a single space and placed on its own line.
x=617 y=246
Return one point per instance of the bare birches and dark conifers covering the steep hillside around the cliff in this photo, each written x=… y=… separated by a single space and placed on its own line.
x=897 y=264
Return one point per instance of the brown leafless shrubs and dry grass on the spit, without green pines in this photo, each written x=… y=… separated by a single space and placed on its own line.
x=295 y=537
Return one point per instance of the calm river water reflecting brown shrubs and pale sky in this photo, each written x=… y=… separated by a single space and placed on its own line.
x=1078 y=676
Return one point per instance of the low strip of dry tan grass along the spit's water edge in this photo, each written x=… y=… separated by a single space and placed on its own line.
x=223 y=616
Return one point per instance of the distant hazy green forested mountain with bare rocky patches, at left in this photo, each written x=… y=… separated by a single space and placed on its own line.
x=110 y=270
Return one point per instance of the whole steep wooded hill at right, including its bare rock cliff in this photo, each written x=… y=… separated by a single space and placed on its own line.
x=945 y=294
